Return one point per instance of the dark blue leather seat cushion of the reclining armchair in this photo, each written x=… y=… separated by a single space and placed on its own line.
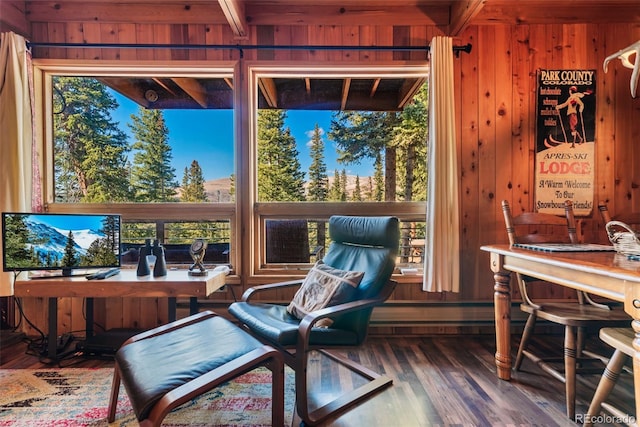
x=274 y=323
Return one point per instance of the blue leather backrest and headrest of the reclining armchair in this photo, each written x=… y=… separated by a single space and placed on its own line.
x=367 y=244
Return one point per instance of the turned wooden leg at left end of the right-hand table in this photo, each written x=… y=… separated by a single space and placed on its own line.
x=502 y=310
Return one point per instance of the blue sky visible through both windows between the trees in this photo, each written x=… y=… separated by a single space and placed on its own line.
x=207 y=136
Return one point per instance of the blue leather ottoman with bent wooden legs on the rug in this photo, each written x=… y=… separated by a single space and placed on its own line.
x=167 y=366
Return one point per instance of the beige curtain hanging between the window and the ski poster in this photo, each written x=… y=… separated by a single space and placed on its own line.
x=442 y=245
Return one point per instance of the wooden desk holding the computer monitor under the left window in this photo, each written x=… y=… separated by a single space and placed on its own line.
x=177 y=283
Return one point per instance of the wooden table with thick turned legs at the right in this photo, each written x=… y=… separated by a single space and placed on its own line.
x=607 y=274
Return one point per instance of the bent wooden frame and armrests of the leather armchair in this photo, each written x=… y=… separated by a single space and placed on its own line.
x=297 y=357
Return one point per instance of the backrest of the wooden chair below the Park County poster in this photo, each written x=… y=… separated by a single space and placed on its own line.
x=535 y=227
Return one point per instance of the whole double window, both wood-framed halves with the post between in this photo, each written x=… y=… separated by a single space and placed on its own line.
x=255 y=165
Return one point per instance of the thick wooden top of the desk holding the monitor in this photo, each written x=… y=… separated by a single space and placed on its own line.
x=177 y=283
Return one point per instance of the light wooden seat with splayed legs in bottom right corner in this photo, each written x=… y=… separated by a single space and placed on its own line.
x=621 y=339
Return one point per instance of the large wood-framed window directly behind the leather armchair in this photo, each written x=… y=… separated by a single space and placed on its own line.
x=336 y=141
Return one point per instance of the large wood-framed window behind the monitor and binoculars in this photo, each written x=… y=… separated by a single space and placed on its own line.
x=155 y=145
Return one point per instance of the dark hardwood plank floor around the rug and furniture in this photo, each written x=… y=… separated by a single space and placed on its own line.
x=438 y=380
